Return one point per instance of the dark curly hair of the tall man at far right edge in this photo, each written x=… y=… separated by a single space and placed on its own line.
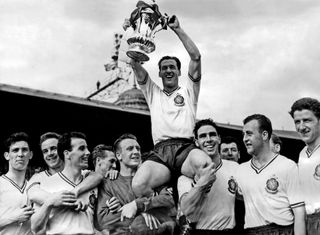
x=306 y=103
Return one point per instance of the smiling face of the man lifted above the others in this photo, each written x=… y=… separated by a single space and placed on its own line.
x=169 y=73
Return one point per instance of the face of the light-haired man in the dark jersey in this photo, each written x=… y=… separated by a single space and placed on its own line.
x=129 y=153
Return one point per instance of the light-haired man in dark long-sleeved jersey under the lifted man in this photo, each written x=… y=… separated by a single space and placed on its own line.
x=119 y=211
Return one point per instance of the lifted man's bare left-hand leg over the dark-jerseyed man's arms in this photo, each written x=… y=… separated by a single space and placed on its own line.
x=150 y=175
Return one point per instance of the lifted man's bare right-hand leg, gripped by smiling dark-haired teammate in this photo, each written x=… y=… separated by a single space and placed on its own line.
x=195 y=161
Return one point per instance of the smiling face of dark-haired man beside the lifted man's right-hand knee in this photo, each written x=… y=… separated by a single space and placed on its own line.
x=208 y=140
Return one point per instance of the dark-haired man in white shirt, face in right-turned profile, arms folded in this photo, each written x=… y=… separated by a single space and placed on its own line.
x=57 y=214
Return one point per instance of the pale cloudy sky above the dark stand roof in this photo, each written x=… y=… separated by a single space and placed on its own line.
x=258 y=56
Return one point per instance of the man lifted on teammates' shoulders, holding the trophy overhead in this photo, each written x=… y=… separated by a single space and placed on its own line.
x=173 y=109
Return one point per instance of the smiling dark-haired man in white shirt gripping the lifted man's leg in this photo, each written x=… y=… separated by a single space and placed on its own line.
x=210 y=207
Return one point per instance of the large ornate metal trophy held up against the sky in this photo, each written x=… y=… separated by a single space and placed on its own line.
x=145 y=21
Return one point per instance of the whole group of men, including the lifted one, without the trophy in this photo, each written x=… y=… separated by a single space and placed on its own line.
x=192 y=173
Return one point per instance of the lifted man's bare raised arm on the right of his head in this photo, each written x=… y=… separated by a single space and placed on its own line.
x=193 y=51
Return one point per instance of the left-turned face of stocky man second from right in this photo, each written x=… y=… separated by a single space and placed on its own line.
x=252 y=138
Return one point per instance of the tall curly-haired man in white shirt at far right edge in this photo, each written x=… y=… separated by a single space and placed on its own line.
x=306 y=115
